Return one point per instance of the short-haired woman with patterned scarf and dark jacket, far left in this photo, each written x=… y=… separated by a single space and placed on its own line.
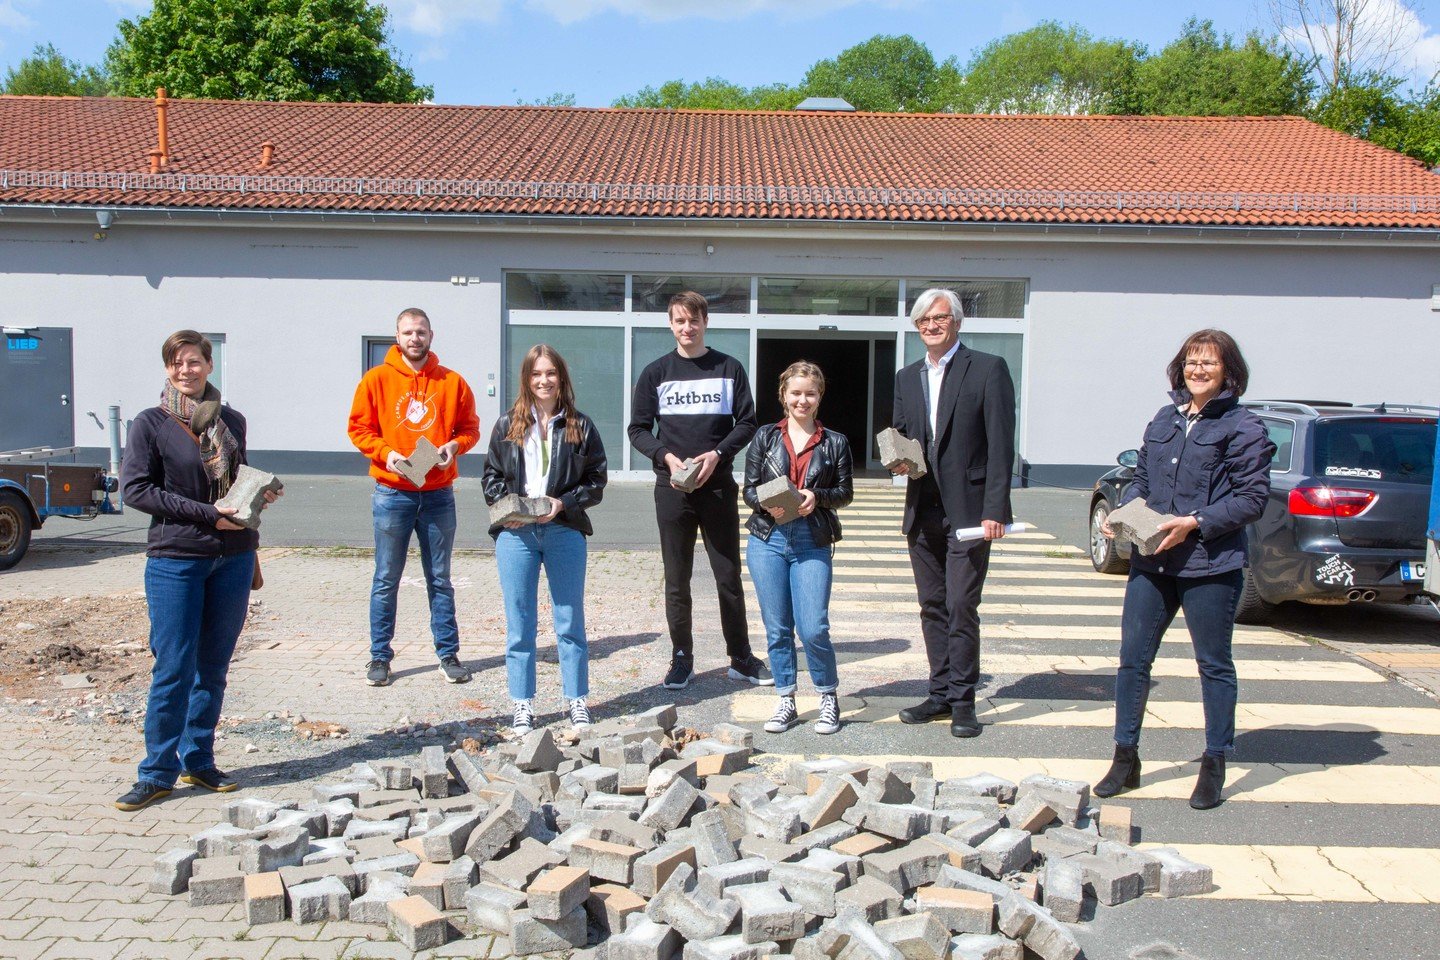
x=181 y=458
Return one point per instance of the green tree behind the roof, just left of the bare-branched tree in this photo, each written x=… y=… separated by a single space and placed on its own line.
x=1202 y=74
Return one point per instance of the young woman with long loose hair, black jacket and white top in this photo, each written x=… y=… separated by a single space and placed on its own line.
x=545 y=448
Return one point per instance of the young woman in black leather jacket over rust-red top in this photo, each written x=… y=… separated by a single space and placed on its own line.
x=791 y=562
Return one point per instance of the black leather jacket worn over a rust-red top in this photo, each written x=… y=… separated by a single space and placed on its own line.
x=829 y=477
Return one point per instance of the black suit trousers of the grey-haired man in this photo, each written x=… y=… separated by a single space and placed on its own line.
x=948 y=576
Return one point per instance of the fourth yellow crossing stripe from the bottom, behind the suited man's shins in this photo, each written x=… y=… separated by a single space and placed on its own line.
x=915 y=664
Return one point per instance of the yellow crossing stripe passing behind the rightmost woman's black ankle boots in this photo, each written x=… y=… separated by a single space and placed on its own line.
x=1176 y=779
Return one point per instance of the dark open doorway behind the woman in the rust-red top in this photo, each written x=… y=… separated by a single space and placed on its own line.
x=846 y=365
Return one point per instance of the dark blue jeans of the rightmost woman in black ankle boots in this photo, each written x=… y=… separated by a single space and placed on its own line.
x=1151 y=602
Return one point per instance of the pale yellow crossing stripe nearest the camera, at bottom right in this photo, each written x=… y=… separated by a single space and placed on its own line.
x=1320 y=874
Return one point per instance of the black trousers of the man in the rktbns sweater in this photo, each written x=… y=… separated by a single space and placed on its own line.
x=715 y=513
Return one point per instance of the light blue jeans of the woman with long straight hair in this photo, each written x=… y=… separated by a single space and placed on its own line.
x=521 y=555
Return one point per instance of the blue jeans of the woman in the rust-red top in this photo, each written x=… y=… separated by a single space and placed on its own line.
x=791 y=578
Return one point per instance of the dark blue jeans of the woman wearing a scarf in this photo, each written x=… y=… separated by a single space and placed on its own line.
x=197 y=614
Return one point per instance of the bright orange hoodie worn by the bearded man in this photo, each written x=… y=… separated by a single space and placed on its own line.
x=395 y=407
